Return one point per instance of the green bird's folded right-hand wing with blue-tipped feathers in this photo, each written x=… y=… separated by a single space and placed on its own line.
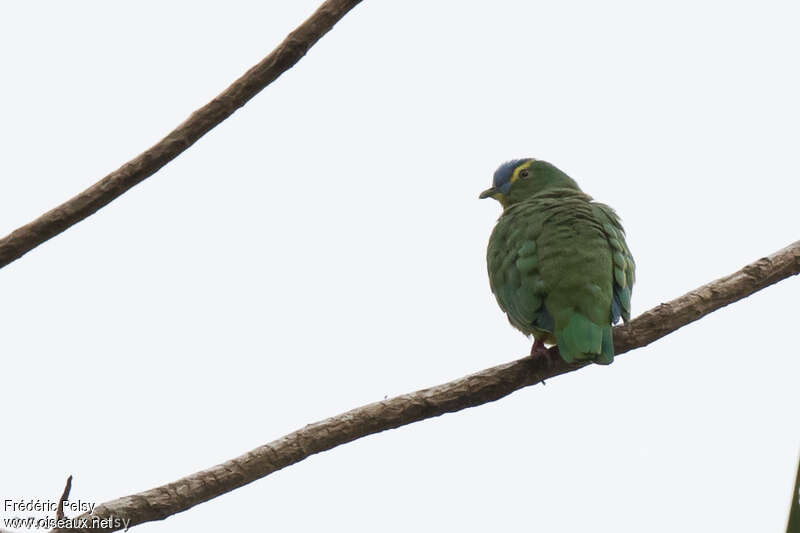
x=624 y=266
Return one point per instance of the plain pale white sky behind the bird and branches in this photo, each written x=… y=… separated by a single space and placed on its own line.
x=325 y=247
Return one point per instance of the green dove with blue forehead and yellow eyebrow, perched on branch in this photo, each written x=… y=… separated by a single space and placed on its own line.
x=558 y=262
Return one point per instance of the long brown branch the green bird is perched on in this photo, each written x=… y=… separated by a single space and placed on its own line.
x=476 y=389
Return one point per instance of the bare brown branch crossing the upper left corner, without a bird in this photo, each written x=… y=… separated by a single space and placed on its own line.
x=290 y=51
